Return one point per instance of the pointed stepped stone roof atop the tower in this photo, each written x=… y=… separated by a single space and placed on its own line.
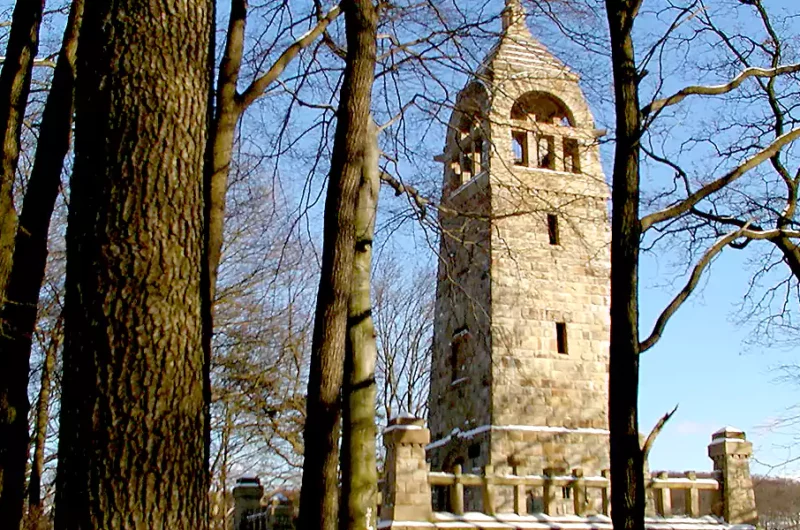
x=517 y=49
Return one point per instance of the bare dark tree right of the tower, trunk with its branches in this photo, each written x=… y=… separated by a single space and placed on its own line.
x=628 y=226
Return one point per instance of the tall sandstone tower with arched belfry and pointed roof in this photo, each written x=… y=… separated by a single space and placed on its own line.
x=520 y=359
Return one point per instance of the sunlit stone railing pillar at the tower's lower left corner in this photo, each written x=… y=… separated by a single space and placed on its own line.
x=406 y=491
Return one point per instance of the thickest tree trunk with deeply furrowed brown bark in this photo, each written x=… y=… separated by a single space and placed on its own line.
x=131 y=447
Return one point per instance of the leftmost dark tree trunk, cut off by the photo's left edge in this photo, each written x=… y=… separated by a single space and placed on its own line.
x=15 y=83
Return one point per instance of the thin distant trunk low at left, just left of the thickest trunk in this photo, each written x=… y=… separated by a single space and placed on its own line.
x=35 y=506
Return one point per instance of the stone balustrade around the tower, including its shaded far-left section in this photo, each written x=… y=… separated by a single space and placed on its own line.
x=407 y=489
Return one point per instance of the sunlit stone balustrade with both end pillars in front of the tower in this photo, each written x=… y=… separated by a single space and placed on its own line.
x=409 y=485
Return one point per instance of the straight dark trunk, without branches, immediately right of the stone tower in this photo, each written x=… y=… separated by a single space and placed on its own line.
x=627 y=462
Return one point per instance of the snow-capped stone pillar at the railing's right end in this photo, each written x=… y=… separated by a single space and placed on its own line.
x=730 y=451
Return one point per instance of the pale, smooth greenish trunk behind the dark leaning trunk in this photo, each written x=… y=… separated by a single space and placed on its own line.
x=359 y=471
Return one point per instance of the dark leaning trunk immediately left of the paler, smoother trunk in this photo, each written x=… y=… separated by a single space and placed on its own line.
x=319 y=494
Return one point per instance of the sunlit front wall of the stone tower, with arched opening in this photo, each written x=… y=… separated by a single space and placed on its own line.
x=537 y=284
